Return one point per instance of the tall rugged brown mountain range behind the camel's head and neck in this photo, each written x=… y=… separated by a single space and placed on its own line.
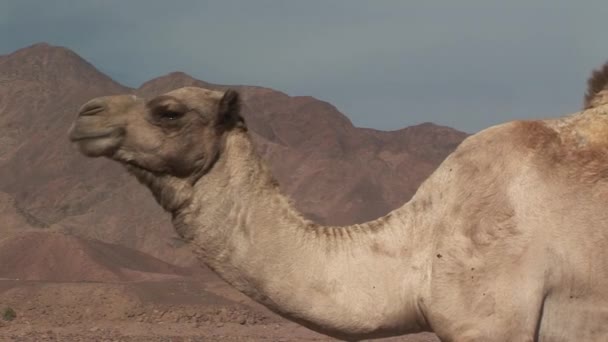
x=337 y=173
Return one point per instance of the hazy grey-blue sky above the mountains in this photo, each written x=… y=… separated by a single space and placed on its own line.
x=385 y=64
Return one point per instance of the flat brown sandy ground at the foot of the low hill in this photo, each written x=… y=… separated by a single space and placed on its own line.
x=144 y=311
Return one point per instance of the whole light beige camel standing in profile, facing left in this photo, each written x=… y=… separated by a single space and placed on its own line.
x=507 y=240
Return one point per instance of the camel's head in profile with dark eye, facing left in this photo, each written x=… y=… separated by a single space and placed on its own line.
x=178 y=133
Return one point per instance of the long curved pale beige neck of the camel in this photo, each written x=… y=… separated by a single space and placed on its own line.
x=328 y=278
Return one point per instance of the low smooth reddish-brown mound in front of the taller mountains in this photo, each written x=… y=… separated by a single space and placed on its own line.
x=52 y=256
